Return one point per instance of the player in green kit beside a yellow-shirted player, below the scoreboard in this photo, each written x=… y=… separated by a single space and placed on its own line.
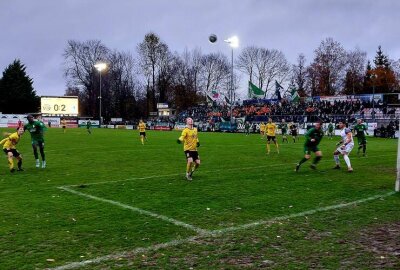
x=36 y=129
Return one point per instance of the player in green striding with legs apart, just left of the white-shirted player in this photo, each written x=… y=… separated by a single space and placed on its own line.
x=313 y=138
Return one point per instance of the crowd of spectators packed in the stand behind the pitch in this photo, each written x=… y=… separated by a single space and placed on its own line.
x=296 y=112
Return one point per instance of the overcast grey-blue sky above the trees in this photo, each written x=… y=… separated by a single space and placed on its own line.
x=37 y=31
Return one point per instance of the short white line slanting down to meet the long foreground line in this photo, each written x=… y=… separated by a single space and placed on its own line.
x=138 y=210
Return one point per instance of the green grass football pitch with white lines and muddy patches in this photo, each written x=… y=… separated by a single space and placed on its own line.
x=106 y=202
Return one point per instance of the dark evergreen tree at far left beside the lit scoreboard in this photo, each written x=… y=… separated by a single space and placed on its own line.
x=16 y=90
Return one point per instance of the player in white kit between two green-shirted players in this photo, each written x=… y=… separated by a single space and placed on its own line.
x=346 y=144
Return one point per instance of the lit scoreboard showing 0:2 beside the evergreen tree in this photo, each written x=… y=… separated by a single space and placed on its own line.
x=59 y=105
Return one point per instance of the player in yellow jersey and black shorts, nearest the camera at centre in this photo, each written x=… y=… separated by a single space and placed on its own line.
x=190 y=144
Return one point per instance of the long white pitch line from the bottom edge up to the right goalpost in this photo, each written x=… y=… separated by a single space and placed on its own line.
x=214 y=233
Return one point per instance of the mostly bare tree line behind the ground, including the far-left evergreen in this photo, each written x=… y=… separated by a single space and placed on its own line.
x=133 y=83
